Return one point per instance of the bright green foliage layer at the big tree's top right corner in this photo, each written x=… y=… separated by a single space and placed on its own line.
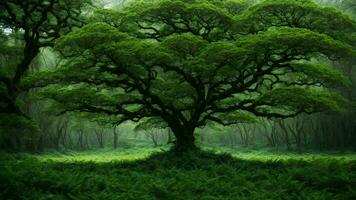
x=300 y=14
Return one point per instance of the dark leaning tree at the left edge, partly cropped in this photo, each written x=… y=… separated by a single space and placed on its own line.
x=39 y=23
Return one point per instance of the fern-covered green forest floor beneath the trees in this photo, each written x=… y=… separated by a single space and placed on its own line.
x=152 y=174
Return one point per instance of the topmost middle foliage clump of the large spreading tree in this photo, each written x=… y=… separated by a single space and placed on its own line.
x=176 y=16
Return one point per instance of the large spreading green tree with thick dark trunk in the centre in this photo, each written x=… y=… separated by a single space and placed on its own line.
x=186 y=63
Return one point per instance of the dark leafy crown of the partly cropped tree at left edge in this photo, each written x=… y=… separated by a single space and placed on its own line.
x=13 y=14
